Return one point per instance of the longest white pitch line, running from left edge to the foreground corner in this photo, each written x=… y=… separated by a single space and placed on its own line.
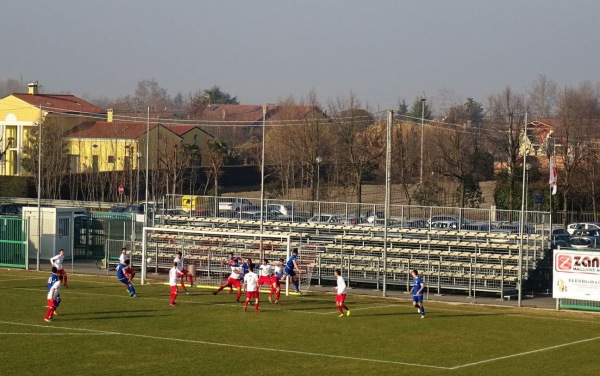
x=359 y=359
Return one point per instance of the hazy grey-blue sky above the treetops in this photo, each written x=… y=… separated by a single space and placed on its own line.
x=262 y=50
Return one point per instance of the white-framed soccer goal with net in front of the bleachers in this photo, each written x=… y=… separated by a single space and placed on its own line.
x=205 y=251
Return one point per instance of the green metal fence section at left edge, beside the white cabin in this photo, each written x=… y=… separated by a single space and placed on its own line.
x=13 y=242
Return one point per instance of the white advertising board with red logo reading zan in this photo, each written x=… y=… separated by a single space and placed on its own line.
x=576 y=275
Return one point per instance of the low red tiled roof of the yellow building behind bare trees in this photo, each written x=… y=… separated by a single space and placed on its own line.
x=115 y=130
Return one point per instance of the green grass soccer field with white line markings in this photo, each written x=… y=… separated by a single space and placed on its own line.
x=101 y=330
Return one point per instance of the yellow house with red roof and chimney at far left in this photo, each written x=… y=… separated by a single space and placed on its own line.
x=20 y=113
